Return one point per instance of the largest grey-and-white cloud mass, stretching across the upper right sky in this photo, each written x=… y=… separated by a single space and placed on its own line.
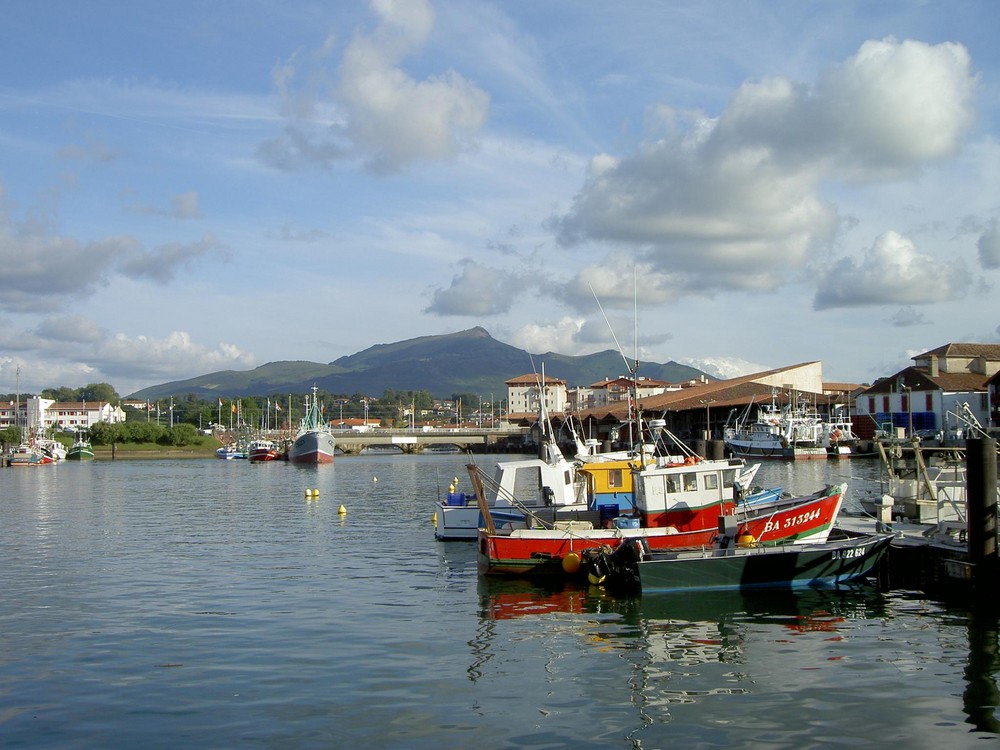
x=735 y=201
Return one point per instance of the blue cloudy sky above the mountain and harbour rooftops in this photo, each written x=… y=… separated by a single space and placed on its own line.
x=741 y=185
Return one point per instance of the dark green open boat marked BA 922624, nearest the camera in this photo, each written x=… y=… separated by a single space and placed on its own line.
x=731 y=564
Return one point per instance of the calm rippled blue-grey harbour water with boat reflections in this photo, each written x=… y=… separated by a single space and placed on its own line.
x=210 y=604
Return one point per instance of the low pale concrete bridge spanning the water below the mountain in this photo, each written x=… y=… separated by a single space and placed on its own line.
x=415 y=441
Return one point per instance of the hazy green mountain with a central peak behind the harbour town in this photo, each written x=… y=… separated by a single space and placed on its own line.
x=469 y=361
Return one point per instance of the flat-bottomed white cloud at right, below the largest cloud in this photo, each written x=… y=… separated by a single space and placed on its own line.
x=891 y=271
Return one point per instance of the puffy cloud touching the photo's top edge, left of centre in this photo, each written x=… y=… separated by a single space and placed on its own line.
x=379 y=113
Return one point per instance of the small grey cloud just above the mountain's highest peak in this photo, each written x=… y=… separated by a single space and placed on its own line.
x=478 y=290
